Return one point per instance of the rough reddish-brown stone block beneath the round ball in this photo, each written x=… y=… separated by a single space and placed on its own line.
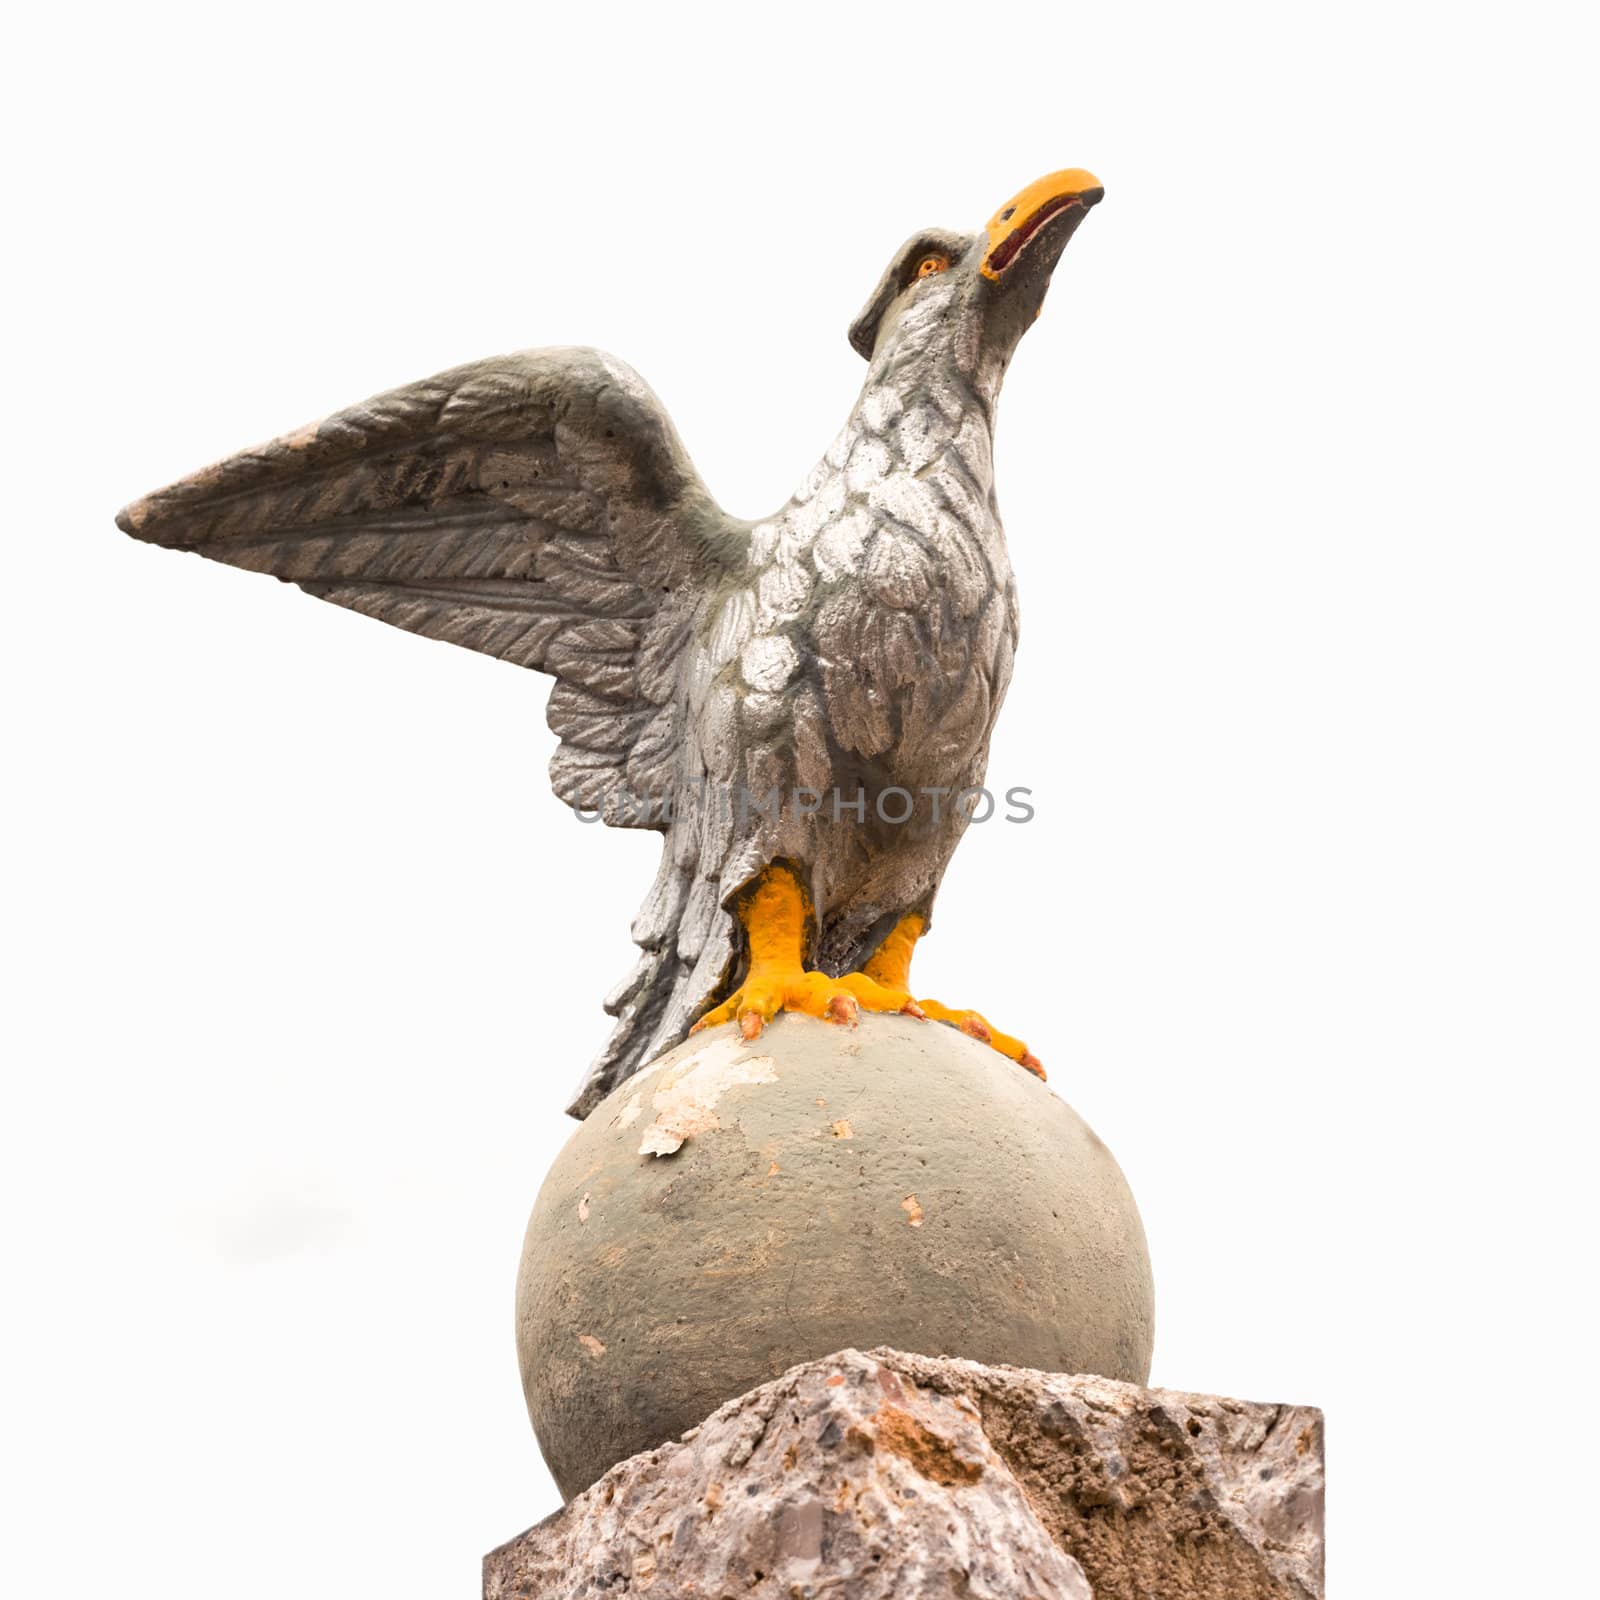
x=902 y=1476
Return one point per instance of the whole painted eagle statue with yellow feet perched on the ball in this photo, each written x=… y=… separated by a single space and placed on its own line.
x=798 y=703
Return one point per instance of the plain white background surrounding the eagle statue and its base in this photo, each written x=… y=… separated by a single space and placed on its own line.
x=305 y=959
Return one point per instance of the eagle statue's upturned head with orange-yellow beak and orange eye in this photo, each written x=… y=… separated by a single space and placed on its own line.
x=991 y=284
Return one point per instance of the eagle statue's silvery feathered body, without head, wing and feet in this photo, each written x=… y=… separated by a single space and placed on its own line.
x=839 y=690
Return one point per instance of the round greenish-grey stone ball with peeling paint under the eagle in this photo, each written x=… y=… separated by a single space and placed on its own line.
x=737 y=1209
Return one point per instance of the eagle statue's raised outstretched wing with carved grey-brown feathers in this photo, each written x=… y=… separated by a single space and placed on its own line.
x=537 y=508
